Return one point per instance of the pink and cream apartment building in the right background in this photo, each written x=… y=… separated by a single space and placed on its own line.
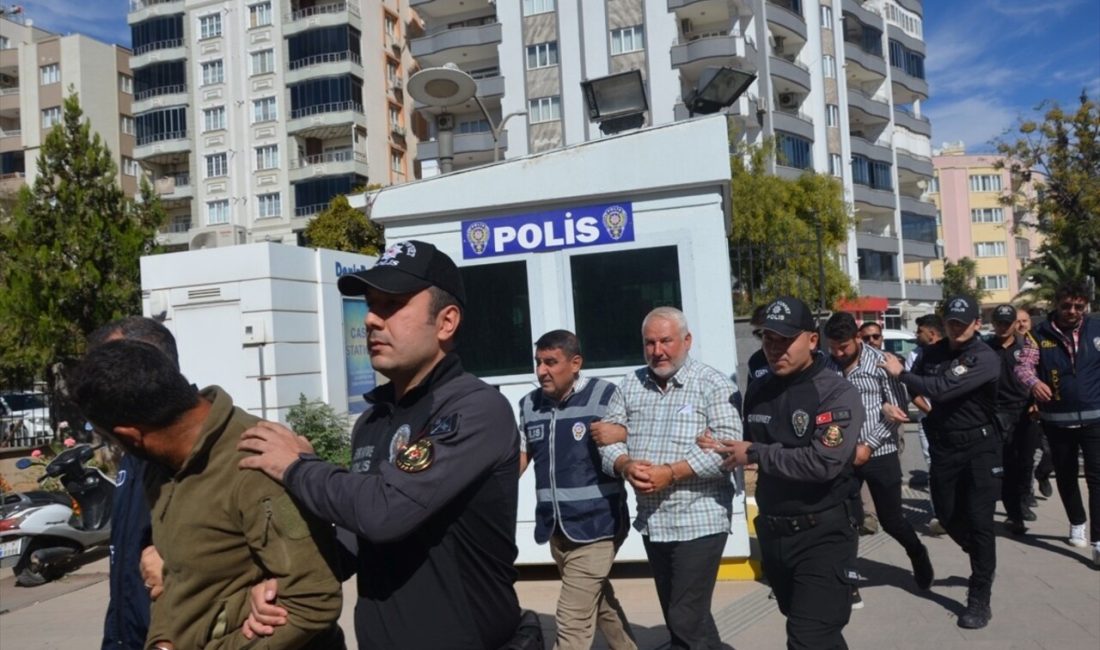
x=973 y=224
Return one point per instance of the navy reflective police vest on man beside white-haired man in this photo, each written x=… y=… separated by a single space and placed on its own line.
x=573 y=491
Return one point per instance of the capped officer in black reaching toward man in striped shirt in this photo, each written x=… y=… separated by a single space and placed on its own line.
x=959 y=374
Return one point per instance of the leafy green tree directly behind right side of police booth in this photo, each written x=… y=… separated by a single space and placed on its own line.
x=777 y=229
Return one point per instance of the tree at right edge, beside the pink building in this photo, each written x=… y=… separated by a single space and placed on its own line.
x=1055 y=171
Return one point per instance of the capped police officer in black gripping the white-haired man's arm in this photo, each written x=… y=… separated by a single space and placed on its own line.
x=802 y=424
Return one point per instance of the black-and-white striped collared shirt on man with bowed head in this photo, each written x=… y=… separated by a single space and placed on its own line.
x=876 y=388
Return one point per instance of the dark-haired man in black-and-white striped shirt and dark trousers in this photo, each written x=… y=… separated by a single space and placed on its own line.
x=877 y=462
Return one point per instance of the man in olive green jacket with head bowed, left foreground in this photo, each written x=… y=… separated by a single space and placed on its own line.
x=219 y=531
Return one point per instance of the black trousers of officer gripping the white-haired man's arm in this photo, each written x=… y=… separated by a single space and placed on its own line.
x=812 y=575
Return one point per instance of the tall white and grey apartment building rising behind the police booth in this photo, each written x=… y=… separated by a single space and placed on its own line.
x=840 y=85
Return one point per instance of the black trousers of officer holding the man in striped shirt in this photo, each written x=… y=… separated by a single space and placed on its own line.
x=966 y=483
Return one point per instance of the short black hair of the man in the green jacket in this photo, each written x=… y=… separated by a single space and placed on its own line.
x=129 y=383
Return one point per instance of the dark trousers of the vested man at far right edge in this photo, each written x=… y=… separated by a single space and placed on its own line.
x=1065 y=444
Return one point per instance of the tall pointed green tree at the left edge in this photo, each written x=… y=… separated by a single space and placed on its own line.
x=70 y=252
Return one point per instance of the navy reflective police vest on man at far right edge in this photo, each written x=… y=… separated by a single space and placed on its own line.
x=1075 y=383
